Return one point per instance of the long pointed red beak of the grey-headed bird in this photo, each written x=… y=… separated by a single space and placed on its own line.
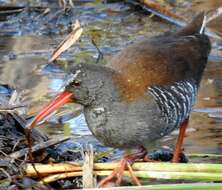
x=56 y=103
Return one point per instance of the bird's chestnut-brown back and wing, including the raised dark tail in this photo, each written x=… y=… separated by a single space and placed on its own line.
x=162 y=60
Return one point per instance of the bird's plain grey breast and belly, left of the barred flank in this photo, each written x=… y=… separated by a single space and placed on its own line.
x=122 y=126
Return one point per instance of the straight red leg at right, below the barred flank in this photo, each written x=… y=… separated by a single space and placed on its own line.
x=180 y=139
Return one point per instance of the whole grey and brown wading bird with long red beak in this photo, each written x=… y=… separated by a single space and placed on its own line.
x=141 y=95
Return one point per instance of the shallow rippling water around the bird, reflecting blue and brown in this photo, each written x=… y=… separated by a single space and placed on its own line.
x=28 y=39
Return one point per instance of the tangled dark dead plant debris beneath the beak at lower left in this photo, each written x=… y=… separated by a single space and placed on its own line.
x=14 y=150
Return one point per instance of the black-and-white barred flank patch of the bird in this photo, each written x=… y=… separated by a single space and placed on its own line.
x=175 y=101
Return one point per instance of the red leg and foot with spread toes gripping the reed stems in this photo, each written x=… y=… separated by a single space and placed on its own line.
x=124 y=163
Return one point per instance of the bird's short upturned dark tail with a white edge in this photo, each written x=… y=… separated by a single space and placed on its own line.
x=196 y=26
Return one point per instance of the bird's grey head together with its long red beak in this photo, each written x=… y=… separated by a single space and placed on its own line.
x=86 y=85
